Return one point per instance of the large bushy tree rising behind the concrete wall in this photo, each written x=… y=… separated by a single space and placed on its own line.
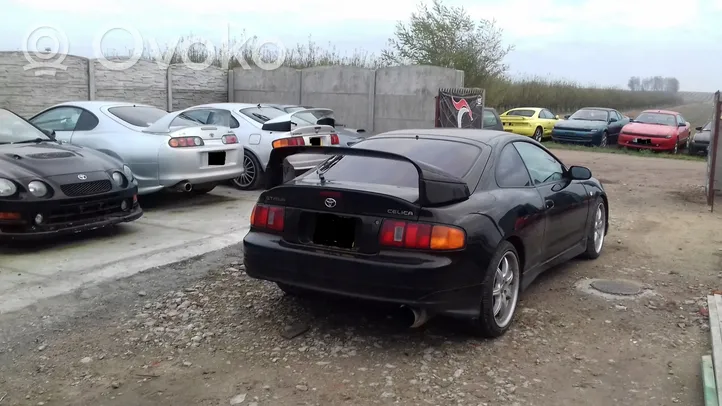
x=449 y=37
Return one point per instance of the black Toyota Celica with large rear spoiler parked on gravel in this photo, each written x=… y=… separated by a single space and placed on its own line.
x=442 y=221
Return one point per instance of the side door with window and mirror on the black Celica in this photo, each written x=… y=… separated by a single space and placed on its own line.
x=565 y=202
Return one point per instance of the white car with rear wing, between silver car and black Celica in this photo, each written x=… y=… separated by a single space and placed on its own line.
x=260 y=128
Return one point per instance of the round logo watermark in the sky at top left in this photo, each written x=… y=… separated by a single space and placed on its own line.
x=49 y=61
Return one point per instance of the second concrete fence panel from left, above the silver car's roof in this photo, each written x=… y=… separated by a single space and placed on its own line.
x=145 y=82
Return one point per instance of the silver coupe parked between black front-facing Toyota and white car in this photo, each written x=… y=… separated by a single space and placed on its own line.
x=163 y=150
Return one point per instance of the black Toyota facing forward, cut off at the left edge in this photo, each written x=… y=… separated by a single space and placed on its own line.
x=48 y=188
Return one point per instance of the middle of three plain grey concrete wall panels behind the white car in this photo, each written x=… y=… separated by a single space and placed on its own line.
x=349 y=91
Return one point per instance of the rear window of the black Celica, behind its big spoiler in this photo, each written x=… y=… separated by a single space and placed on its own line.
x=452 y=157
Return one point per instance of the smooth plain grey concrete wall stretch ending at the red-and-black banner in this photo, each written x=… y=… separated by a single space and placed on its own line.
x=375 y=100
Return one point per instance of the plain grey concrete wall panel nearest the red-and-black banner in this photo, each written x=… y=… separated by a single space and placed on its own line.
x=405 y=95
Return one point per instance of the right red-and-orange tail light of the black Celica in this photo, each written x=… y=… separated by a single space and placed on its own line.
x=404 y=234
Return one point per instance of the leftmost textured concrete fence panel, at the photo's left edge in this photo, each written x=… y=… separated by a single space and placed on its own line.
x=27 y=91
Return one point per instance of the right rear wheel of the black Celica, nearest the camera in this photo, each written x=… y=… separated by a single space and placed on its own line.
x=488 y=324
